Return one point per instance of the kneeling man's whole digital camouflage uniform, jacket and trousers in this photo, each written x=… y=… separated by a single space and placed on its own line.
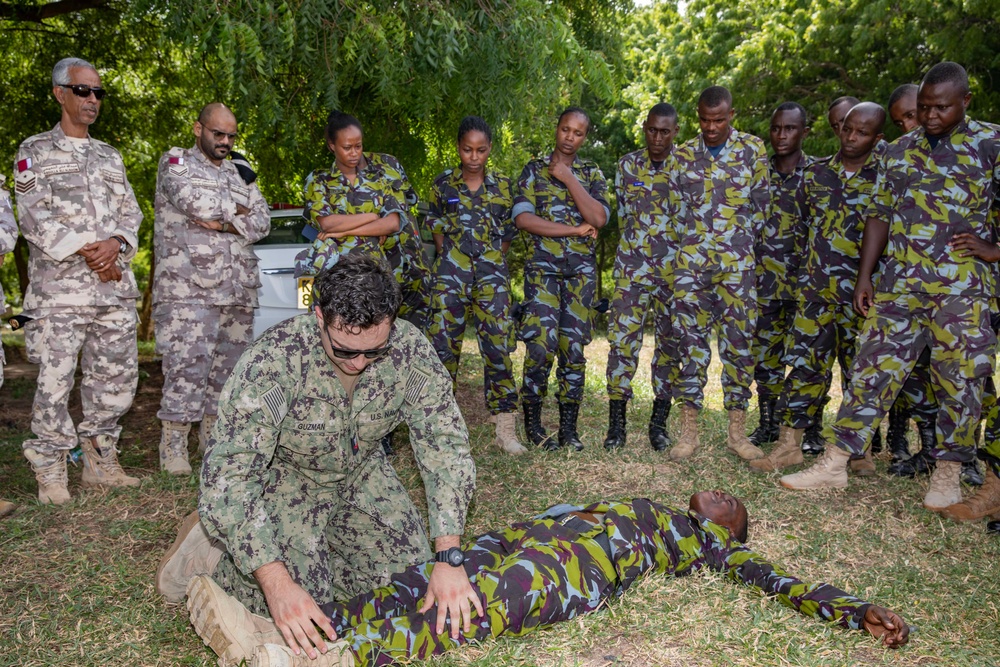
x=295 y=472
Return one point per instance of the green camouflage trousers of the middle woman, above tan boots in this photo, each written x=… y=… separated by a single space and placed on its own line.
x=488 y=306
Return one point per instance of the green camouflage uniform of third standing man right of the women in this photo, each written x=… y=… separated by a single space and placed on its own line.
x=778 y=252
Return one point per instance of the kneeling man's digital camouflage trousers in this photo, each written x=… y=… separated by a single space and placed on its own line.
x=341 y=541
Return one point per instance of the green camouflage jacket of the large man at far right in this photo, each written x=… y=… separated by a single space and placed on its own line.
x=927 y=196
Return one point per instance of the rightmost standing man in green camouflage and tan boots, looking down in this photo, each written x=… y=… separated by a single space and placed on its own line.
x=934 y=183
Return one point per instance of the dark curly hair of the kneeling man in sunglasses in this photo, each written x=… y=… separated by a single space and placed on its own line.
x=358 y=292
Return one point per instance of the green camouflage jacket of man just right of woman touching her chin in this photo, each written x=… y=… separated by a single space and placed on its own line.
x=644 y=249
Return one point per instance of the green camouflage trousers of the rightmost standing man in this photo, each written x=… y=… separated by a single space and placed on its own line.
x=957 y=331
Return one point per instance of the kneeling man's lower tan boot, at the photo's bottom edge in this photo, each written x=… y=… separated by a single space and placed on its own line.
x=225 y=625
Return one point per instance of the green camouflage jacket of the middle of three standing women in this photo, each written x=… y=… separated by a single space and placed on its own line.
x=474 y=225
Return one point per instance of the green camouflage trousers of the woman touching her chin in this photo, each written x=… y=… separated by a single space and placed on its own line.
x=555 y=318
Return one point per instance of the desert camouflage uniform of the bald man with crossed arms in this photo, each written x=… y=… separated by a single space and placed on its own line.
x=205 y=282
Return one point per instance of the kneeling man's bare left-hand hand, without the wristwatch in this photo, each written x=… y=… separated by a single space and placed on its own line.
x=294 y=611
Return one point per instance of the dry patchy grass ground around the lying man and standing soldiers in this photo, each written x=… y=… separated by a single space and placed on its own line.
x=76 y=582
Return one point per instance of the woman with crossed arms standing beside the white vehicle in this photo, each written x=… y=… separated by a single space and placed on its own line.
x=353 y=203
